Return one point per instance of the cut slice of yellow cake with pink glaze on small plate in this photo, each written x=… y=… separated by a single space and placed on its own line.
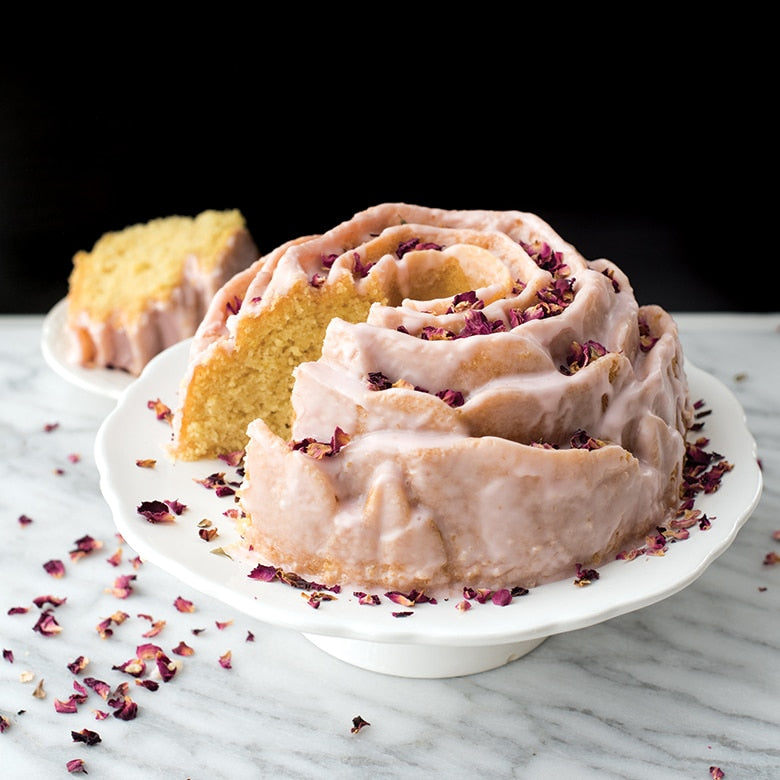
x=144 y=288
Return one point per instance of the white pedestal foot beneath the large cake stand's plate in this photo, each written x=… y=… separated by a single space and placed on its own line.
x=422 y=660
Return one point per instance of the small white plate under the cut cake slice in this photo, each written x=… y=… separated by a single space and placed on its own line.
x=54 y=345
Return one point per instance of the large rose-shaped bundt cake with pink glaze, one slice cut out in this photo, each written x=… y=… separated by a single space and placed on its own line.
x=433 y=399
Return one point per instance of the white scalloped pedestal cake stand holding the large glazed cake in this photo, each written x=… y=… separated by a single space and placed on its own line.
x=437 y=640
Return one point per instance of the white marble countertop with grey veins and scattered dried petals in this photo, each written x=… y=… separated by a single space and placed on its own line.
x=686 y=684
